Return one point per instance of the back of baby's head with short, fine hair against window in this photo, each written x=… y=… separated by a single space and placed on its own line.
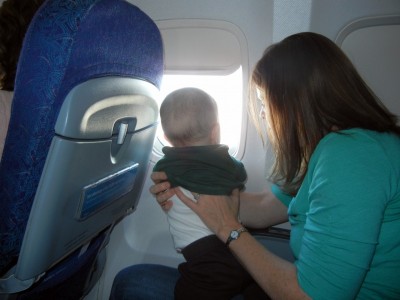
x=189 y=117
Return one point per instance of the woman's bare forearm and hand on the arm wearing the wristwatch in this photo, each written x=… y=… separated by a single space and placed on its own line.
x=276 y=276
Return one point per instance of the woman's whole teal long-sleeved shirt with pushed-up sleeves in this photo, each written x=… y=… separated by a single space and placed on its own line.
x=345 y=218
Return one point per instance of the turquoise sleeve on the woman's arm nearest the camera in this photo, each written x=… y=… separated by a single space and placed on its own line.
x=347 y=184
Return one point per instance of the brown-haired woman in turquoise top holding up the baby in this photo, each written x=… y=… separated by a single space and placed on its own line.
x=336 y=179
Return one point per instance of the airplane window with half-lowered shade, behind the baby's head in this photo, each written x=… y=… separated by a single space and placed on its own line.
x=210 y=55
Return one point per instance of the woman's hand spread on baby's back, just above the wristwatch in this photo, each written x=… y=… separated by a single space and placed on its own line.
x=219 y=213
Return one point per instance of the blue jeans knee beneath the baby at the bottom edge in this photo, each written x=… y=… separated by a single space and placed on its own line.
x=145 y=282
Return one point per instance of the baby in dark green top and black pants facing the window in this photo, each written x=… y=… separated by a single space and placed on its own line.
x=199 y=164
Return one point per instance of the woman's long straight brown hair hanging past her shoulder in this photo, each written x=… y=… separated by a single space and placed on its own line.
x=311 y=88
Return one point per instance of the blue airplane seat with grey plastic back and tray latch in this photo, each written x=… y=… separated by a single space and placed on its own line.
x=82 y=127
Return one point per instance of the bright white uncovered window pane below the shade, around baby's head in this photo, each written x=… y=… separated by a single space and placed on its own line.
x=225 y=89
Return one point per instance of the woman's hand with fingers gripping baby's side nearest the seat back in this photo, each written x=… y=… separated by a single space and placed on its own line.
x=161 y=190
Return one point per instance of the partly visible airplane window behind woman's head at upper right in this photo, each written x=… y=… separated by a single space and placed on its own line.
x=372 y=44
